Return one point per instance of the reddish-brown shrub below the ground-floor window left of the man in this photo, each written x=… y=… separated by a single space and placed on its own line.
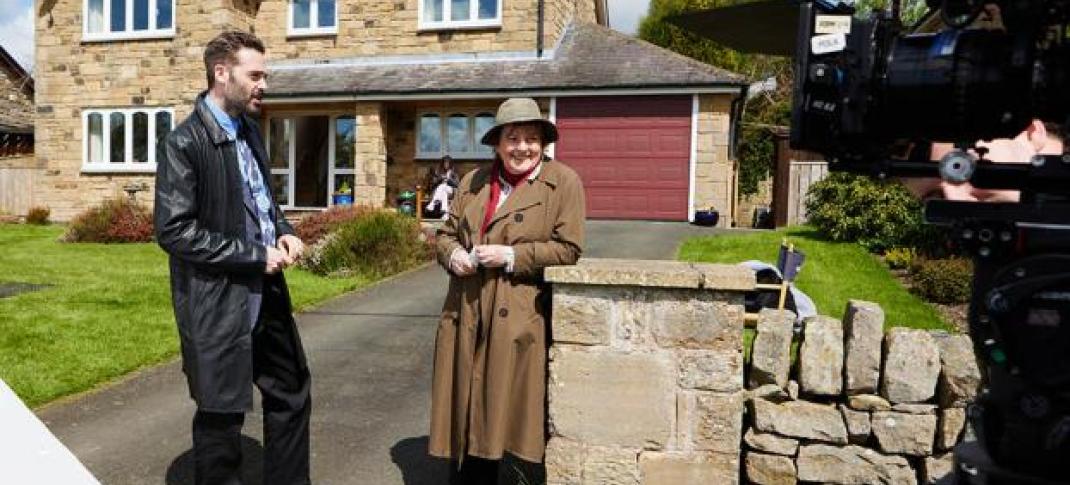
x=114 y=221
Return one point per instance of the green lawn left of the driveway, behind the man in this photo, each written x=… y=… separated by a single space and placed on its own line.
x=109 y=312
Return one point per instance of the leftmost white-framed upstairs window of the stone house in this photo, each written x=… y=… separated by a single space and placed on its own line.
x=121 y=20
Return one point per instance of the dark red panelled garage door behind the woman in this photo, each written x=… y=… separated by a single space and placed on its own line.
x=633 y=154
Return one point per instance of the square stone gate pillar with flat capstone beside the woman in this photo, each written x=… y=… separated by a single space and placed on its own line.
x=646 y=381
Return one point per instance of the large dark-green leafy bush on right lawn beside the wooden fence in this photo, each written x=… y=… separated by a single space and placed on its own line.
x=877 y=215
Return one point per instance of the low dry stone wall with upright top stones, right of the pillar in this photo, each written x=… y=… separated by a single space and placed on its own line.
x=874 y=407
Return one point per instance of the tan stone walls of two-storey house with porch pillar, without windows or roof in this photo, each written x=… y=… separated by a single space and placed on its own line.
x=78 y=75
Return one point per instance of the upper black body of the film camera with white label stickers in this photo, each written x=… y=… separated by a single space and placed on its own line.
x=864 y=87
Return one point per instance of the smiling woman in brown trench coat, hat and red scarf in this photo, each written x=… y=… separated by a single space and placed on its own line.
x=509 y=222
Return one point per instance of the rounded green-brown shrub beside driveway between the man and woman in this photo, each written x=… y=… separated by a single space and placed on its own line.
x=378 y=244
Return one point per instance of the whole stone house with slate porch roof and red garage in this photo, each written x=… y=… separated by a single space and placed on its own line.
x=372 y=94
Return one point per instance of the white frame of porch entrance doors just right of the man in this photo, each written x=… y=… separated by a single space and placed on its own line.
x=292 y=157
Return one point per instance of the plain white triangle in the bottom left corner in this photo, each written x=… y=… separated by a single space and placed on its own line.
x=29 y=452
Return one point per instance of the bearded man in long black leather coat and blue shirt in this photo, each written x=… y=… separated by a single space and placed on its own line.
x=228 y=242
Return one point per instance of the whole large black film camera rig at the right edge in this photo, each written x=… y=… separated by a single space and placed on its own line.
x=872 y=95
